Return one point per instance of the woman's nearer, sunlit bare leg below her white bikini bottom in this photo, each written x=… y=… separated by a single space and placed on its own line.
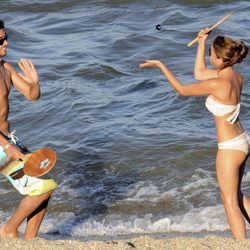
x=228 y=164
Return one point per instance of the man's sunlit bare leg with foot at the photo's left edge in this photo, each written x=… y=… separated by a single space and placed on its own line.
x=26 y=207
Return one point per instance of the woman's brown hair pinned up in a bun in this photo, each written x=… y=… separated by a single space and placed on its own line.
x=229 y=51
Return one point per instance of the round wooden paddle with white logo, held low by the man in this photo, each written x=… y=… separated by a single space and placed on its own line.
x=39 y=162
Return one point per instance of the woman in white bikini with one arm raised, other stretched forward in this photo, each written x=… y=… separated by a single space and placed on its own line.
x=223 y=85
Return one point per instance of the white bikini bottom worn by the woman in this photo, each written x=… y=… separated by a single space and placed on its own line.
x=241 y=142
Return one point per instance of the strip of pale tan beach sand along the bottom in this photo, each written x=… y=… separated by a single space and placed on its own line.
x=142 y=243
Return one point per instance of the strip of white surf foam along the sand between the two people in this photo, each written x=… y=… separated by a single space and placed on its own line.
x=196 y=220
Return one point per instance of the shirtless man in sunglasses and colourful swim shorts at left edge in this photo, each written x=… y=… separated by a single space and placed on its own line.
x=36 y=191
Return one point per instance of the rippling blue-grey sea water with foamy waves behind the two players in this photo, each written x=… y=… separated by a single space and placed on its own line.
x=134 y=157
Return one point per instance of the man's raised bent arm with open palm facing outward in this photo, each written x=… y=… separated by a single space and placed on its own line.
x=26 y=82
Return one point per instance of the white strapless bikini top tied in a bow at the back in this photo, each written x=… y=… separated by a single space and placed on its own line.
x=219 y=109
